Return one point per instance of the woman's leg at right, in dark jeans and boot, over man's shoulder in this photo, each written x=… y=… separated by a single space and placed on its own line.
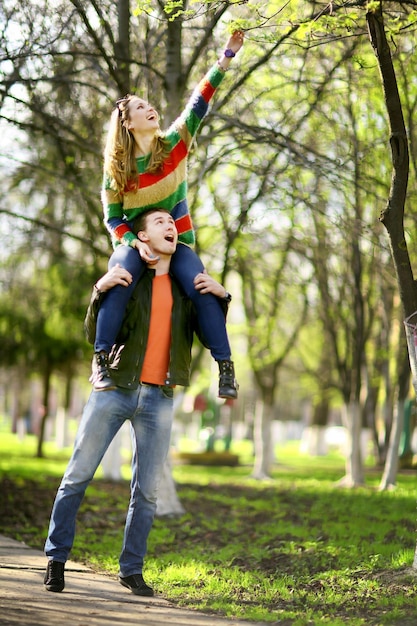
x=185 y=265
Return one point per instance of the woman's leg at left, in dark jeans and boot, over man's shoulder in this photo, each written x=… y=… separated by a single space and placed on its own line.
x=111 y=313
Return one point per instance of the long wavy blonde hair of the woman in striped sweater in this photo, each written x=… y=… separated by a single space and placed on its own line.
x=119 y=152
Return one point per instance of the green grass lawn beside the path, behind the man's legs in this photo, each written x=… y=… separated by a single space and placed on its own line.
x=295 y=550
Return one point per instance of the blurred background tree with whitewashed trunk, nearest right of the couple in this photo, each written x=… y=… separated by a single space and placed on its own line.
x=275 y=303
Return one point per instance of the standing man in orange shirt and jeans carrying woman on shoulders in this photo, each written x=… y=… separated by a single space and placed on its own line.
x=151 y=356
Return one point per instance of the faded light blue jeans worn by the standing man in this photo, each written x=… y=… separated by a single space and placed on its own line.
x=150 y=410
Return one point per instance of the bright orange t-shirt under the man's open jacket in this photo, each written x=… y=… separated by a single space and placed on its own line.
x=156 y=362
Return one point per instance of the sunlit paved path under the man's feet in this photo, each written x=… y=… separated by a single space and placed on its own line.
x=89 y=599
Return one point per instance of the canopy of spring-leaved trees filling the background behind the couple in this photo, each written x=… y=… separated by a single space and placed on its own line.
x=293 y=177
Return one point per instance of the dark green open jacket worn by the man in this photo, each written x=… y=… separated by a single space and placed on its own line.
x=126 y=357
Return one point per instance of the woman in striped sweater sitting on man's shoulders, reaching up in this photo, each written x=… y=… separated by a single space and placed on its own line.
x=143 y=168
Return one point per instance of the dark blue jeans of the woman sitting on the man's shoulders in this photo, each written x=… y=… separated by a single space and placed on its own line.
x=185 y=265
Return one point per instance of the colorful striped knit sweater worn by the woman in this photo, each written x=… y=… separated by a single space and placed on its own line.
x=167 y=188
